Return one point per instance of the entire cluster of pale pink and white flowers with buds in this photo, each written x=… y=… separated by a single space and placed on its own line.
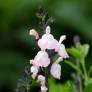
x=43 y=60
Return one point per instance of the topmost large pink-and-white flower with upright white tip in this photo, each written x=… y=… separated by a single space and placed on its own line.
x=47 y=41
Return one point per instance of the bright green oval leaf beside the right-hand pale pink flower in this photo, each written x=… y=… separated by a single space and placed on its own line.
x=74 y=52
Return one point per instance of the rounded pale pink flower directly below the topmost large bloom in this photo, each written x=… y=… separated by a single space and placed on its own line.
x=41 y=59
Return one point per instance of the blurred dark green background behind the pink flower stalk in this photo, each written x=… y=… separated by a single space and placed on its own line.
x=17 y=17
